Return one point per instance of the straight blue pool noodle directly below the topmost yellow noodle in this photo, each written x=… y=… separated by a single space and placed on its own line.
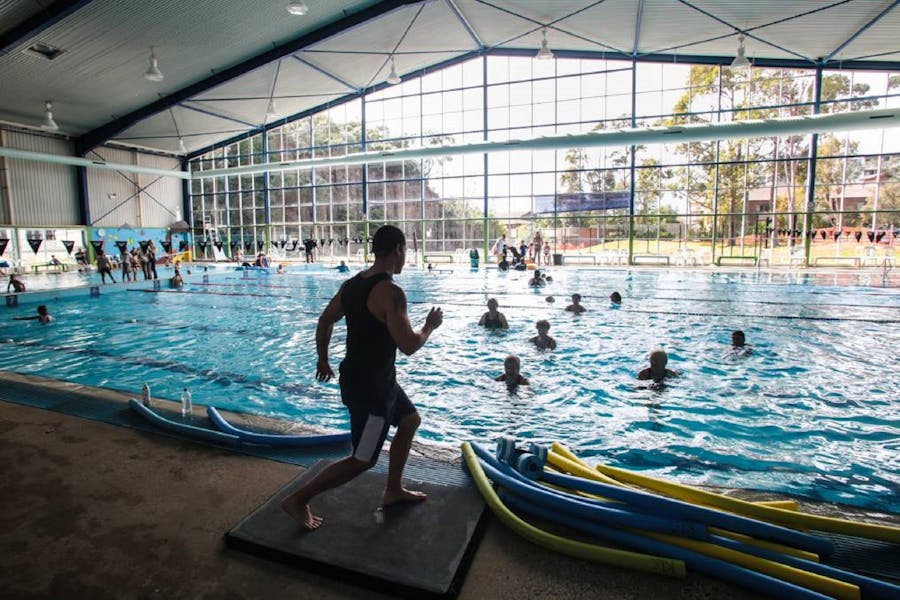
x=672 y=508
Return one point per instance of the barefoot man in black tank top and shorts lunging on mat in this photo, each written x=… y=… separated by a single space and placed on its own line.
x=377 y=325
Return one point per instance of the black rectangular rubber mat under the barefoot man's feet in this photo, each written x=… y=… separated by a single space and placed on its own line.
x=413 y=550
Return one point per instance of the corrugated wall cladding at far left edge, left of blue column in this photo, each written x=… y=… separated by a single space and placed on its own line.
x=41 y=194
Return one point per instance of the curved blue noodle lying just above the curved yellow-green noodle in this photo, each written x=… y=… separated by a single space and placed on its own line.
x=618 y=516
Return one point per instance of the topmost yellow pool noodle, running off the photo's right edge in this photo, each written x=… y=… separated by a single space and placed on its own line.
x=799 y=520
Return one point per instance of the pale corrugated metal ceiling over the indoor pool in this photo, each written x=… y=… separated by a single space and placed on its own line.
x=99 y=77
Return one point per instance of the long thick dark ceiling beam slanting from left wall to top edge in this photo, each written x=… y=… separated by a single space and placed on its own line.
x=97 y=136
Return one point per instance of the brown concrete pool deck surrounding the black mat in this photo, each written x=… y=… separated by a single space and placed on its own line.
x=92 y=510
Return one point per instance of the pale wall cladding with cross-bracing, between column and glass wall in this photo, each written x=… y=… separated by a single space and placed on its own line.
x=138 y=199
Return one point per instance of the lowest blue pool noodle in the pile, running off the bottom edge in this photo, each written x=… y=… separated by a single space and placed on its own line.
x=741 y=576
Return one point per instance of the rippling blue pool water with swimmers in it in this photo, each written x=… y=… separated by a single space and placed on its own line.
x=812 y=412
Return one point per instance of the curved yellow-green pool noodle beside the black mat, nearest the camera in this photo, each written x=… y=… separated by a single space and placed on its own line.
x=577 y=549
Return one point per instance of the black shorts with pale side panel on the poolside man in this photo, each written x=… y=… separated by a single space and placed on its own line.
x=368 y=425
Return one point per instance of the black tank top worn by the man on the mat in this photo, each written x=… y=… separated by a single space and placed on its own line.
x=370 y=347
